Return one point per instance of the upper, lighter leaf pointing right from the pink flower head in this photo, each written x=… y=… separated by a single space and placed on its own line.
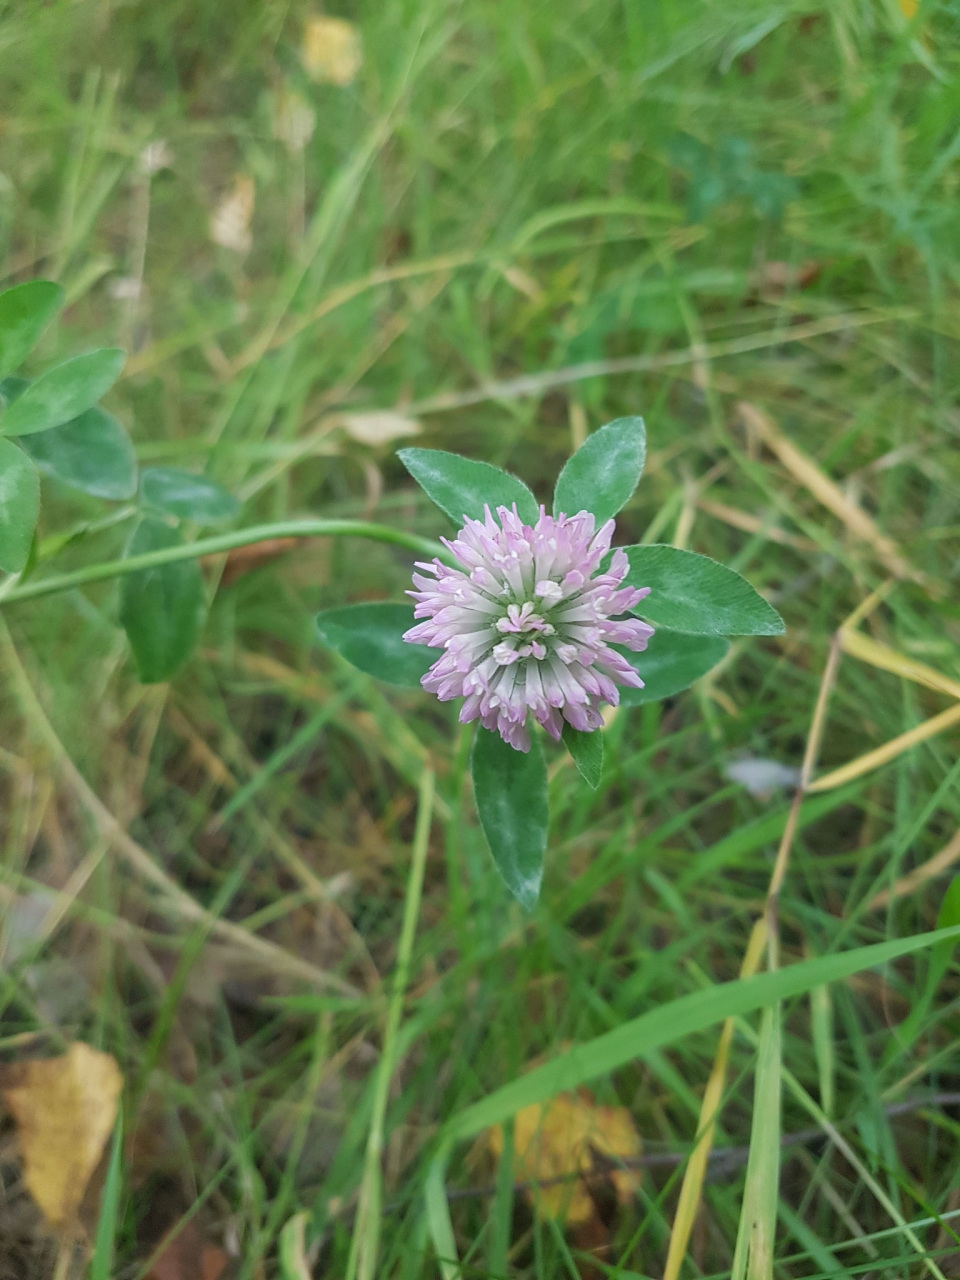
x=694 y=593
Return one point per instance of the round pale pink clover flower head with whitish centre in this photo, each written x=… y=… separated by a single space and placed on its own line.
x=527 y=623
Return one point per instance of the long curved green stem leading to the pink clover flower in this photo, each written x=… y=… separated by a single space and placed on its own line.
x=222 y=543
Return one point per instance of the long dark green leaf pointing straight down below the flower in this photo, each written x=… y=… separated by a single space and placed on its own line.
x=510 y=789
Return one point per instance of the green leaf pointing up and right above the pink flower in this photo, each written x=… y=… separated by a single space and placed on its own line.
x=605 y=472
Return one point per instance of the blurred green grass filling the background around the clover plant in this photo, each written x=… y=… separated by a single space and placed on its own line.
x=509 y=189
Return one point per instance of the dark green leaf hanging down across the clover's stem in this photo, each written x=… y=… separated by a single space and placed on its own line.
x=162 y=609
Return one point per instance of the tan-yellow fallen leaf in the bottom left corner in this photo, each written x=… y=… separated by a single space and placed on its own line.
x=66 y=1109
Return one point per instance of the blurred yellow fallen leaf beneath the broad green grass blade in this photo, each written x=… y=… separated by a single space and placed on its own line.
x=560 y=1139
